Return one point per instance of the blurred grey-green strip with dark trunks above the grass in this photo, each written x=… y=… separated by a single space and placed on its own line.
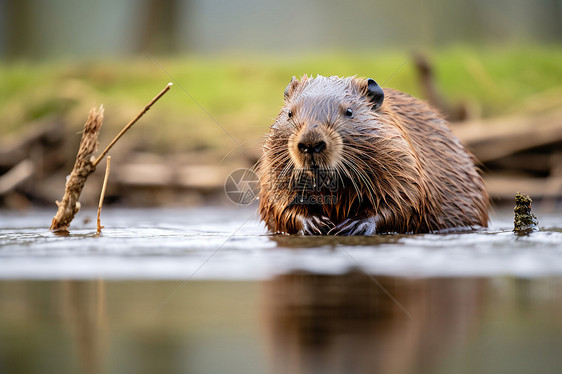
x=37 y=30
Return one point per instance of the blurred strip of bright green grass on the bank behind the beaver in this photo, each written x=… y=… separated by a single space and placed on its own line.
x=244 y=94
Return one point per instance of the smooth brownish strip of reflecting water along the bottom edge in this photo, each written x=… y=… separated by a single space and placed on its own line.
x=294 y=323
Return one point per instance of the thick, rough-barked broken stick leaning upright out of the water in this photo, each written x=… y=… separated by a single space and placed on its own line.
x=83 y=167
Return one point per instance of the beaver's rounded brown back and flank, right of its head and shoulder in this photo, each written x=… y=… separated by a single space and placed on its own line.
x=454 y=191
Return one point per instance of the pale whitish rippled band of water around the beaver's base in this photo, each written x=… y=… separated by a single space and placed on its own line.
x=230 y=243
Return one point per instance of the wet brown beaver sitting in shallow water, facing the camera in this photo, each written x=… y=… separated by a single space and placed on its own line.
x=344 y=157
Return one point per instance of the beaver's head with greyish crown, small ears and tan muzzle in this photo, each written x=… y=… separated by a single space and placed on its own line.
x=321 y=113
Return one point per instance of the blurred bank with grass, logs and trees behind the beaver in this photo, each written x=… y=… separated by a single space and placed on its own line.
x=494 y=68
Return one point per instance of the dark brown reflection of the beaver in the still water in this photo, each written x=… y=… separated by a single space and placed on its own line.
x=348 y=324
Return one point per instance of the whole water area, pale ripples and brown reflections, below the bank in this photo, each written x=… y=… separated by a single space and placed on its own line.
x=208 y=291
